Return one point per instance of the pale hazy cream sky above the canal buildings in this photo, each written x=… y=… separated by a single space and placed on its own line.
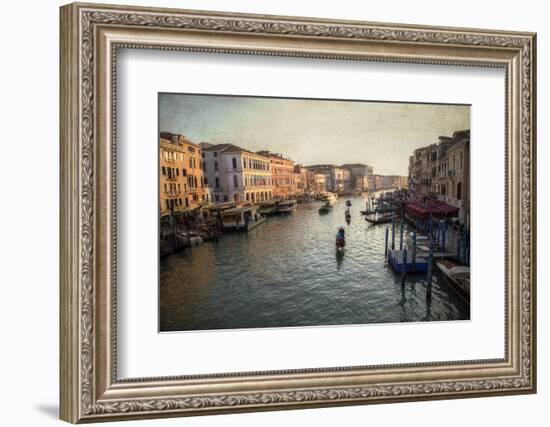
x=309 y=131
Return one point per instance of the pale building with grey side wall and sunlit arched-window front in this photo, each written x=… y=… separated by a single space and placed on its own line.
x=236 y=174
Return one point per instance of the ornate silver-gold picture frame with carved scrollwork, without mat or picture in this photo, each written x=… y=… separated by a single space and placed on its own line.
x=91 y=34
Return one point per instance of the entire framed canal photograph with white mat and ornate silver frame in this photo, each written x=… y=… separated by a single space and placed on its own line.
x=266 y=212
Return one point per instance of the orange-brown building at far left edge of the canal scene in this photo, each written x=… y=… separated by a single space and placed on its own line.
x=181 y=180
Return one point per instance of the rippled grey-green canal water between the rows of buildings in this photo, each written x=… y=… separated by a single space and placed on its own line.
x=286 y=272
